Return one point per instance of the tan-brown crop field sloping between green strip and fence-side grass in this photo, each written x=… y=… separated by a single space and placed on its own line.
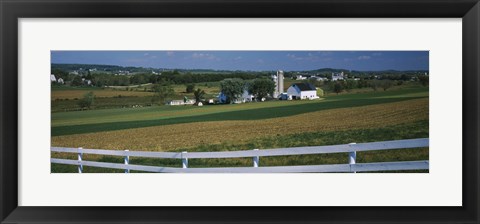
x=182 y=136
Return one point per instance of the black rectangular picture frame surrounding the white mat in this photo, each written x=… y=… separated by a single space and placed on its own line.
x=11 y=11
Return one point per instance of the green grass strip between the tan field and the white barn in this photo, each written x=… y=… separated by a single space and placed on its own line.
x=110 y=120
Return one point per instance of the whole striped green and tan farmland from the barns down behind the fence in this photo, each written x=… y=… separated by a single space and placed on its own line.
x=400 y=113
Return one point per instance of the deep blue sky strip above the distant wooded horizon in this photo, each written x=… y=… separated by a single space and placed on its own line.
x=252 y=60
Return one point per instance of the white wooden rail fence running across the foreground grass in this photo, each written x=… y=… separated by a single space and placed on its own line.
x=255 y=154
